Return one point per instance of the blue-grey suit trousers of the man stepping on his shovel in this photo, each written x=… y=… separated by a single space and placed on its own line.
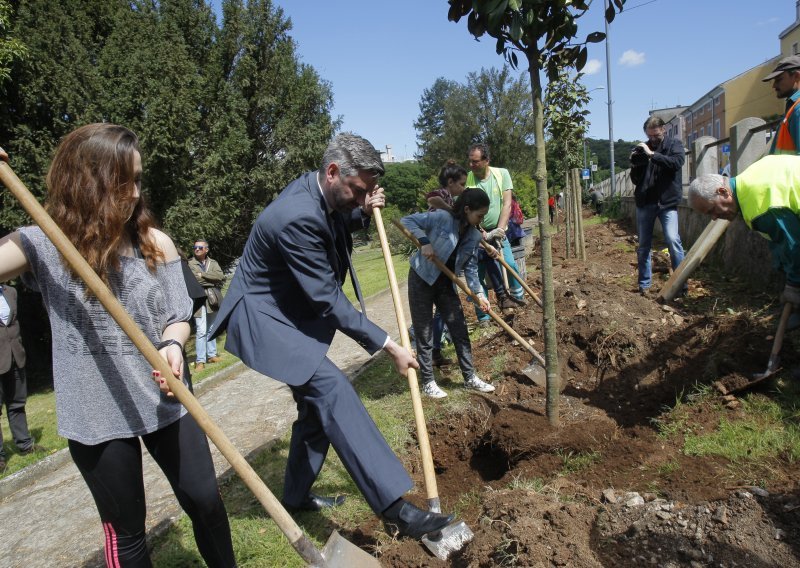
x=331 y=413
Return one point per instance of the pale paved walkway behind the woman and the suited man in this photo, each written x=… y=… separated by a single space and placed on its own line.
x=48 y=515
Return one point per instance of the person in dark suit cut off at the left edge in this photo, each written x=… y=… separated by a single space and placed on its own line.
x=13 y=388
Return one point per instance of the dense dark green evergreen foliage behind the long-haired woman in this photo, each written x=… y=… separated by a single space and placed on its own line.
x=226 y=113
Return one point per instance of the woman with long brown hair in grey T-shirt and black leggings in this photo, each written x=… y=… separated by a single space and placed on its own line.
x=107 y=395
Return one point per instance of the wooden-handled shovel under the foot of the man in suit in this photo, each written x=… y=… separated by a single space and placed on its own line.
x=455 y=535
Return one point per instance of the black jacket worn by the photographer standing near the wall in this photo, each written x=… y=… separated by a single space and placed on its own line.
x=659 y=179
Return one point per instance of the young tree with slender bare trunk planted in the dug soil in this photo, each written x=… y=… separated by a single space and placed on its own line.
x=546 y=33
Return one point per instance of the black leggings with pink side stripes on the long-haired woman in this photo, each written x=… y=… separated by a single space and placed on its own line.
x=113 y=472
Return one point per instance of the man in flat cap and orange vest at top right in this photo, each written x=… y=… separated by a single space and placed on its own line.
x=786 y=83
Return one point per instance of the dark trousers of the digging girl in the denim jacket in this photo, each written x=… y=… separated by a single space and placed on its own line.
x=421 y=299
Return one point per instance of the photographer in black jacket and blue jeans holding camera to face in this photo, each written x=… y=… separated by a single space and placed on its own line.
x=656 y=171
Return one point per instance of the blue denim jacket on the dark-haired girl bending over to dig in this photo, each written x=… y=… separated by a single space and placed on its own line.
x=440 y=229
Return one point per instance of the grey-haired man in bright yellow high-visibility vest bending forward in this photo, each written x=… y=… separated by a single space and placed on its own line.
x=767 y=196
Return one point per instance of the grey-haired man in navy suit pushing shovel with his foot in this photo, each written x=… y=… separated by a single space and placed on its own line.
x=282 y=309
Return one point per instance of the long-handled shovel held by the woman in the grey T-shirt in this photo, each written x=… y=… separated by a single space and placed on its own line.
x=338 y=552
